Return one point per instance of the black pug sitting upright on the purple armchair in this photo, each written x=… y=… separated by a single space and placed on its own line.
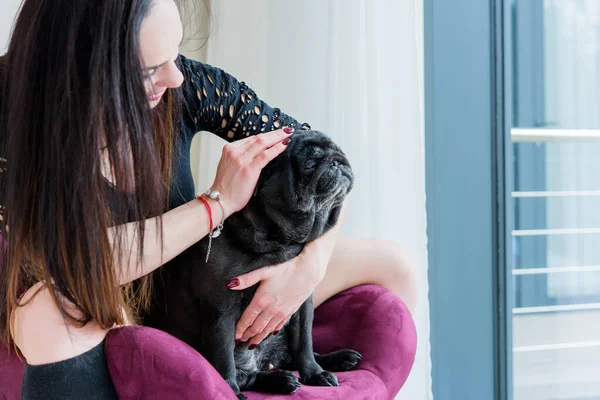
x=298 y=198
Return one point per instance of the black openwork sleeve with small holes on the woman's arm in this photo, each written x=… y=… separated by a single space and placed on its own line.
x=215 y=101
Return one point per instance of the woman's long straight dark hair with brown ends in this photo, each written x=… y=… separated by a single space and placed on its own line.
x=74 y=96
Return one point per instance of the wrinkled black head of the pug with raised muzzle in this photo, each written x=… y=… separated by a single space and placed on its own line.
x=302 y=190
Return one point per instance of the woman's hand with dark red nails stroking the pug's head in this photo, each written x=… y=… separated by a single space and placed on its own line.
x=241 y=163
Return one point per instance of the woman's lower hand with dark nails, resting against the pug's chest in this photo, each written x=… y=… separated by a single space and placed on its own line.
x=282 y=291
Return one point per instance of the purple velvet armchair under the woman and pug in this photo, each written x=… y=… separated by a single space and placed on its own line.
x=145 y=363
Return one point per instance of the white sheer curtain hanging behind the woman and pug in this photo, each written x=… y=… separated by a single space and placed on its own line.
x=353 y=69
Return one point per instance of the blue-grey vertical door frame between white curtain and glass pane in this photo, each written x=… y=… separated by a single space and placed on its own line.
x=467 y=143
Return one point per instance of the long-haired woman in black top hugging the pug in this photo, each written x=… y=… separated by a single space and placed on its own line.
x=96 y=118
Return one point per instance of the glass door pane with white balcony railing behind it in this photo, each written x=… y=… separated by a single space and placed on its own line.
x=556 y=199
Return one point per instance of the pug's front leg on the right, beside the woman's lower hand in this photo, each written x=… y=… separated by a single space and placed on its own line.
x=299 y=333
